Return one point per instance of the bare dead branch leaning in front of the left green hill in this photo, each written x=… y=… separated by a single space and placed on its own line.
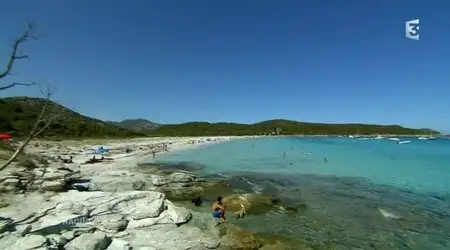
x=45 y=117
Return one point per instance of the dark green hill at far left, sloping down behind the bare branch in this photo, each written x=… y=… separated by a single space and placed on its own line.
x=18 y=115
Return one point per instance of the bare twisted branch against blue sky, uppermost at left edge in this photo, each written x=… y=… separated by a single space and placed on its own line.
x=26 y=36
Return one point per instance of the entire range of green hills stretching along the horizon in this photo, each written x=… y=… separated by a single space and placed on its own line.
x=18 y=114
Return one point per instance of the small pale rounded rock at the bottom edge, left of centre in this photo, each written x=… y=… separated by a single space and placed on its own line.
x=93 y=241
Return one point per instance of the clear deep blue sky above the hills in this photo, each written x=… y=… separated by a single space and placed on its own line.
x=244 y=61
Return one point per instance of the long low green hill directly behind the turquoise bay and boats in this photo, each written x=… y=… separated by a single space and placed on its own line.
x=284 y=127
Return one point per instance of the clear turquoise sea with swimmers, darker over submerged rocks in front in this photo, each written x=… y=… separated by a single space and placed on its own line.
x=359 y=193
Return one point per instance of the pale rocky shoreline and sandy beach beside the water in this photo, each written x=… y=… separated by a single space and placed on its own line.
x=115 y=203
